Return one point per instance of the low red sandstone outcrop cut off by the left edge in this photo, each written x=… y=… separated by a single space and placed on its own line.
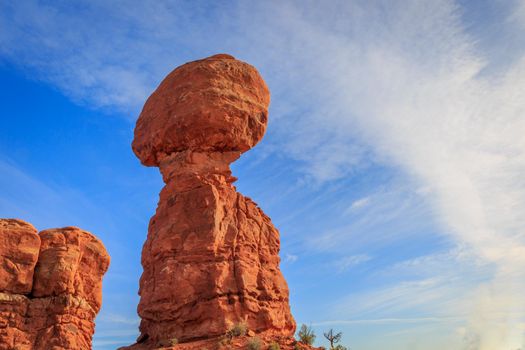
x=50 y=287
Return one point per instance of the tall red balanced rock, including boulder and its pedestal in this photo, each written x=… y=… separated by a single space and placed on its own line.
x=211 y=256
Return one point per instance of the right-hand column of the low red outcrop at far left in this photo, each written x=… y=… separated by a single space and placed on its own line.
x=67 y=288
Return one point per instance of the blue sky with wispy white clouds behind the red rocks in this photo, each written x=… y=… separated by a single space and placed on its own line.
x=393 y=164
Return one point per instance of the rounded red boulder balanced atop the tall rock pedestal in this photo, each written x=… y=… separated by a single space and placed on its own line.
x=217 y=104
